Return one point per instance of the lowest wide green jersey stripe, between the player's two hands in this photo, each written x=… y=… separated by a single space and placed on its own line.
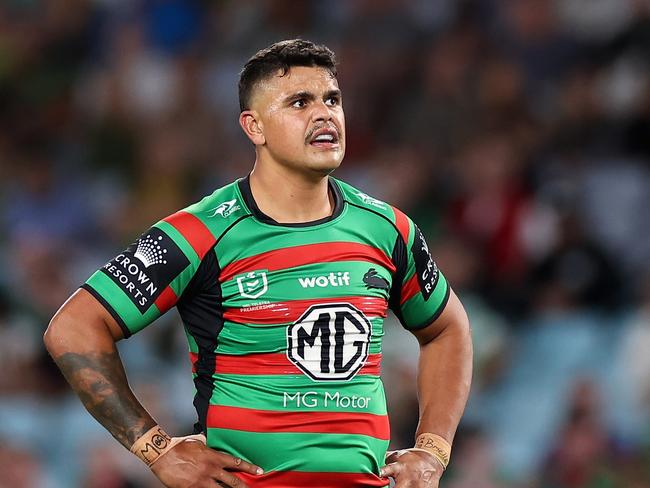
x=300 y=451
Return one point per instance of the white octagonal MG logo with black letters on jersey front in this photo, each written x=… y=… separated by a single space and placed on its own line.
x=329 y=342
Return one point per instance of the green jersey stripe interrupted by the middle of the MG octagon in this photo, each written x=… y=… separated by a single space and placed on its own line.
x=241 y=339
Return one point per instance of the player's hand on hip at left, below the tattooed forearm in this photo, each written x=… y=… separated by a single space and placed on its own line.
x=192 y=464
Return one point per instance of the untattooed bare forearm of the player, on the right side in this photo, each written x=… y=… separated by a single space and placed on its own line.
x=444 y=378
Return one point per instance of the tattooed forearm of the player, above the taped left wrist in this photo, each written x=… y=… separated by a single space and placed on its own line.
x=88 y=358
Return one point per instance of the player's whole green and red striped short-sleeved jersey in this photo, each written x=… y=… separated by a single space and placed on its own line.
x=284 y=324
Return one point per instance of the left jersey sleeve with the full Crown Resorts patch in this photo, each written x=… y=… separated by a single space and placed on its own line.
x=145 y=280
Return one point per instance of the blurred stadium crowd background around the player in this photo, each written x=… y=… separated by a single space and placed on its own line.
x=516 y=133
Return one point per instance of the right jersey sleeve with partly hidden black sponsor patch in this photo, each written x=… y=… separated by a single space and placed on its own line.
x=419 y=292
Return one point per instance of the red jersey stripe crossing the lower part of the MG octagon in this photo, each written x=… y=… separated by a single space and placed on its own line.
x=272 y=364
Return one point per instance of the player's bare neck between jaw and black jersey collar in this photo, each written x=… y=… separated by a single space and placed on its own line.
x=288 y=197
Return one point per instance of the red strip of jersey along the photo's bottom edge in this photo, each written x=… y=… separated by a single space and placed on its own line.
x=299 y=479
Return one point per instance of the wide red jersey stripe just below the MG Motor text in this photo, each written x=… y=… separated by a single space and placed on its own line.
x=250 y=420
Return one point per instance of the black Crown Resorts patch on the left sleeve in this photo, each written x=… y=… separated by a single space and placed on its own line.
x=147 y=267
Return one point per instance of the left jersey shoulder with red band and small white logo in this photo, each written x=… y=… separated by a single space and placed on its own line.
x=203 y=223
